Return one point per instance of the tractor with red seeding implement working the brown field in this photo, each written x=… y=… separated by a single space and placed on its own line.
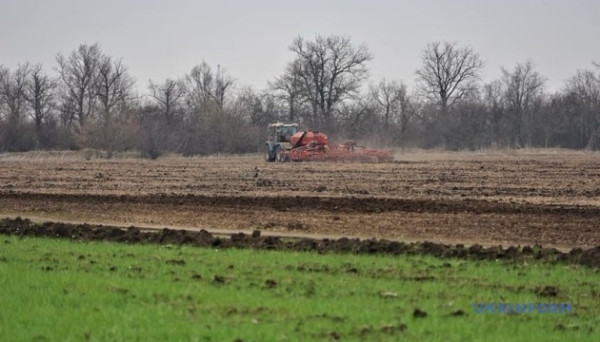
x=286 y=143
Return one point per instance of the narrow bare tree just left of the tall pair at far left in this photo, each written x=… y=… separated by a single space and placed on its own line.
x=40 y=96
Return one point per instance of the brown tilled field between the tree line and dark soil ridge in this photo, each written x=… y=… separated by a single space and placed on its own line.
x=549 y=199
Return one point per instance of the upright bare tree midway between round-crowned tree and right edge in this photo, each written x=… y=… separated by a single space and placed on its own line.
x=523 y=87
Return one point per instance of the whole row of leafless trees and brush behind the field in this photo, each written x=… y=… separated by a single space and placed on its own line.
x=88 y=99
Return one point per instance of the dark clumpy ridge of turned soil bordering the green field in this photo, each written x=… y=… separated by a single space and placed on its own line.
x=85 y=232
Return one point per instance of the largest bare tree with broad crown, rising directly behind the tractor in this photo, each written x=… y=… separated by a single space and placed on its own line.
x=331 y=70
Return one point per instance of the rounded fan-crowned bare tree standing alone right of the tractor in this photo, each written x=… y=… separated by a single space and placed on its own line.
x=448 y=73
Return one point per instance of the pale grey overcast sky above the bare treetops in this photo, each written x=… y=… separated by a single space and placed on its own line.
x=165 y=39
